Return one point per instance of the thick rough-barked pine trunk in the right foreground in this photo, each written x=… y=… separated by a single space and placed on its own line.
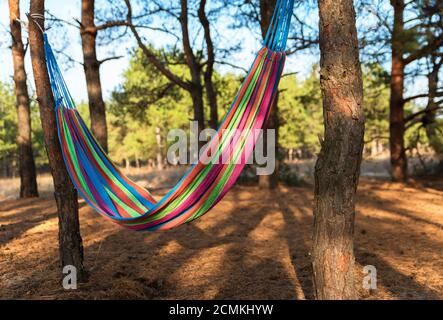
x=338 y=165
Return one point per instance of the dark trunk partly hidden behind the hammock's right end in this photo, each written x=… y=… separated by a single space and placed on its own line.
x=269 y=181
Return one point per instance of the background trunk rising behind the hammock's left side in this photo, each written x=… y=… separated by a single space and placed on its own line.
x=91 y=66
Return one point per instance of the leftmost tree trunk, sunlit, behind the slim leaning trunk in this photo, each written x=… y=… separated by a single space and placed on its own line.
x=28 y=176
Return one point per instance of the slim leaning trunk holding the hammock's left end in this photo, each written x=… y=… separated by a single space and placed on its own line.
x=70 y=241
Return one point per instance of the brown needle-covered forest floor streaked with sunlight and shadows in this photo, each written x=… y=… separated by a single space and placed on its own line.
x=253 y=245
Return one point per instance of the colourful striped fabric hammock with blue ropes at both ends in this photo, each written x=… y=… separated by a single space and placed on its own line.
x=106 y=189
